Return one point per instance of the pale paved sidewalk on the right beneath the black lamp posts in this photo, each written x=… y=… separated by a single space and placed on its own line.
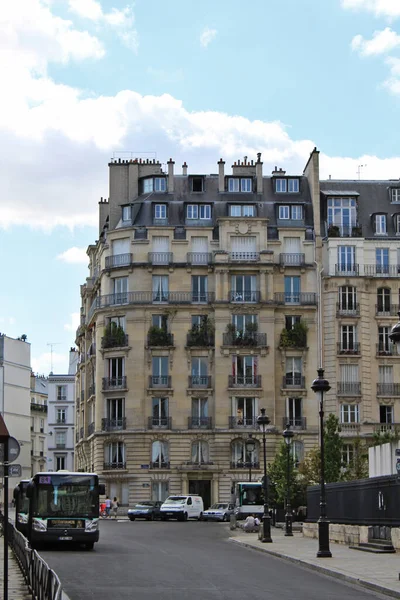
x=378 y=572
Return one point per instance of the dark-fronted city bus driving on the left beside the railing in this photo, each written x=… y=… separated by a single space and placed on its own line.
x=64 y=508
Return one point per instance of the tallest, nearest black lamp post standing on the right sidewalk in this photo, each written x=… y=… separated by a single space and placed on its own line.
x=319 y=386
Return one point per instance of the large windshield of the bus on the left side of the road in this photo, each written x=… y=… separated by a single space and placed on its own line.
x=64 y=496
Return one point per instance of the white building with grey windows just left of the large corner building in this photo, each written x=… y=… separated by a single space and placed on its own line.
x=61 y=409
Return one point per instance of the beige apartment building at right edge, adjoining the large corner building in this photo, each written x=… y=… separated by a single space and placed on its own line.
x=360 y=227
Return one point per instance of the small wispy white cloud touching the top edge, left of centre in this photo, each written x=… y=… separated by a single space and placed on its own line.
x=121 y=20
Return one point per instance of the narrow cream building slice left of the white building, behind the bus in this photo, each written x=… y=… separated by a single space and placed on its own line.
x=39 y=430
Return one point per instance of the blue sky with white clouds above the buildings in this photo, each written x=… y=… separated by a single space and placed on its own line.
x=85 y=80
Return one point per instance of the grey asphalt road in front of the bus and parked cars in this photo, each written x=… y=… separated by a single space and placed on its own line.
x=185 y=561
